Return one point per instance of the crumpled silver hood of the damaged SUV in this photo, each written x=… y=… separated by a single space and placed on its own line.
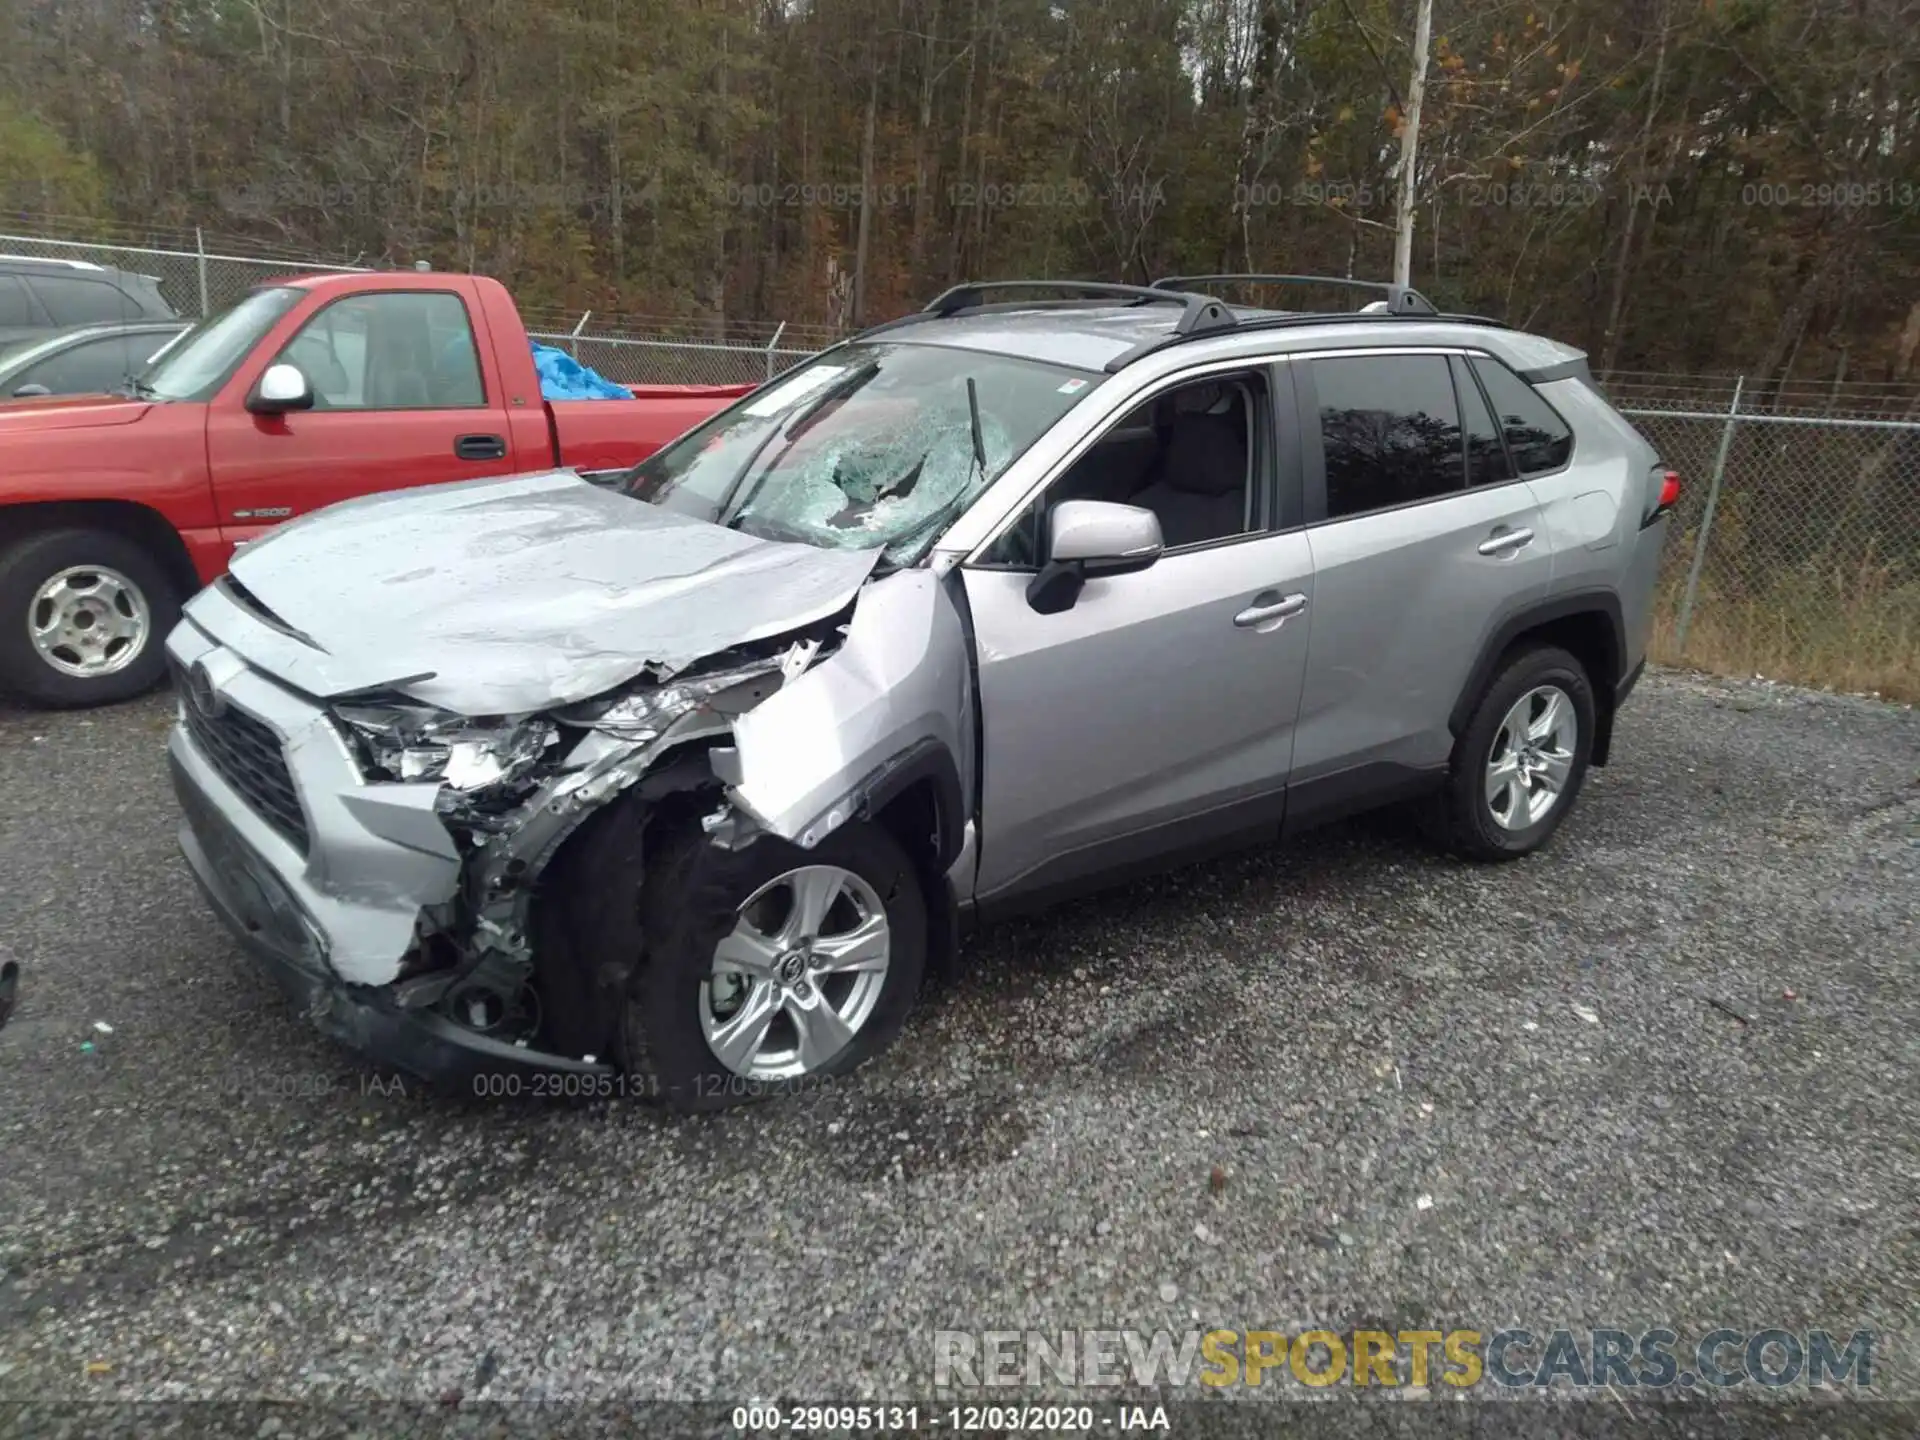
x=519 y=594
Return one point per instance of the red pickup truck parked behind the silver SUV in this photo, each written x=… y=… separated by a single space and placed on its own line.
x=312 y=391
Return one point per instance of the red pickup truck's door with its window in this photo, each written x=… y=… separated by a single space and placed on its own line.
x=400 y=400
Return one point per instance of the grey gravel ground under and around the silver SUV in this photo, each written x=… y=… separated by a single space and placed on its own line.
x=1662 y=1074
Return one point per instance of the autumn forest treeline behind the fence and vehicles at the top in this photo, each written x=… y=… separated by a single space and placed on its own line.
x=1677 y=185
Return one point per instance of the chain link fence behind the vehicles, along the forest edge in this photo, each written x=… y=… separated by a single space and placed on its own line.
x=1796 y=550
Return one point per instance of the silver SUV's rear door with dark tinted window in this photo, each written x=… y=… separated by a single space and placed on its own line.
x=1410 y=564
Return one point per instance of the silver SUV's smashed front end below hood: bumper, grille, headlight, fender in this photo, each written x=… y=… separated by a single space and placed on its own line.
x=423 y=909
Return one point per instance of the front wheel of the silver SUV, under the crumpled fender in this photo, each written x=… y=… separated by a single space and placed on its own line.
x=771 y=969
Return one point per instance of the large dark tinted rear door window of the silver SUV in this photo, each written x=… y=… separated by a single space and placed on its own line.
x=1389 y=429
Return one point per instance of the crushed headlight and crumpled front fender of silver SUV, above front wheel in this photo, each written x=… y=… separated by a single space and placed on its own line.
x=790 y=738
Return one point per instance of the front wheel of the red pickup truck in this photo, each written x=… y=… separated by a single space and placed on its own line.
x=84 y=619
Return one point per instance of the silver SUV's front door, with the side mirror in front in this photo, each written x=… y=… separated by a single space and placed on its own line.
x=1157 y=713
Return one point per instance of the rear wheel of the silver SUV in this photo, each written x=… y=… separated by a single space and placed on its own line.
x=1522 y=759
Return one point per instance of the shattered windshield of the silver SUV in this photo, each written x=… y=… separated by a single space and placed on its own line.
x=871 y=446
